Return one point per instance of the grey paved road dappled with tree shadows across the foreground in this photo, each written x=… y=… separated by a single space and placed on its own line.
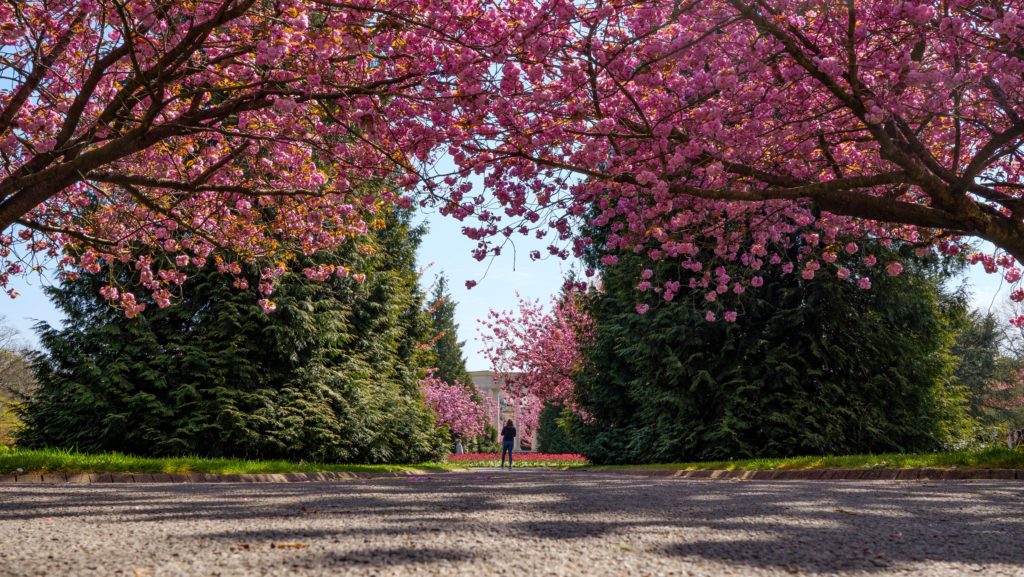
x=515 y=524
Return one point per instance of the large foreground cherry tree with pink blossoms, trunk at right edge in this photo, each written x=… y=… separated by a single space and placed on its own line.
x=743 y=127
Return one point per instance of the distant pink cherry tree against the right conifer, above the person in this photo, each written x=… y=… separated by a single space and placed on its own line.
x=537 y=353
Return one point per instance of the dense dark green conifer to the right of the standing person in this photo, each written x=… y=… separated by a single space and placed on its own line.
x=810 y=368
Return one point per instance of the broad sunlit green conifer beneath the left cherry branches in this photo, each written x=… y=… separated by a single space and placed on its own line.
x=331 y=377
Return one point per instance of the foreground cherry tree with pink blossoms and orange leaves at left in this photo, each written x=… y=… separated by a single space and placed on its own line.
x=169 y=133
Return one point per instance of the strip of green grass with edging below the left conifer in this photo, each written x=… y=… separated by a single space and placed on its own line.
x=70 y=462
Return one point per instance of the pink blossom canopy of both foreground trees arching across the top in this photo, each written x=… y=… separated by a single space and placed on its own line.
x=163 y=134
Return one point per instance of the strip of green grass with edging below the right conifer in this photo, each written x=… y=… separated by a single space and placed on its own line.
x=993 y=458
